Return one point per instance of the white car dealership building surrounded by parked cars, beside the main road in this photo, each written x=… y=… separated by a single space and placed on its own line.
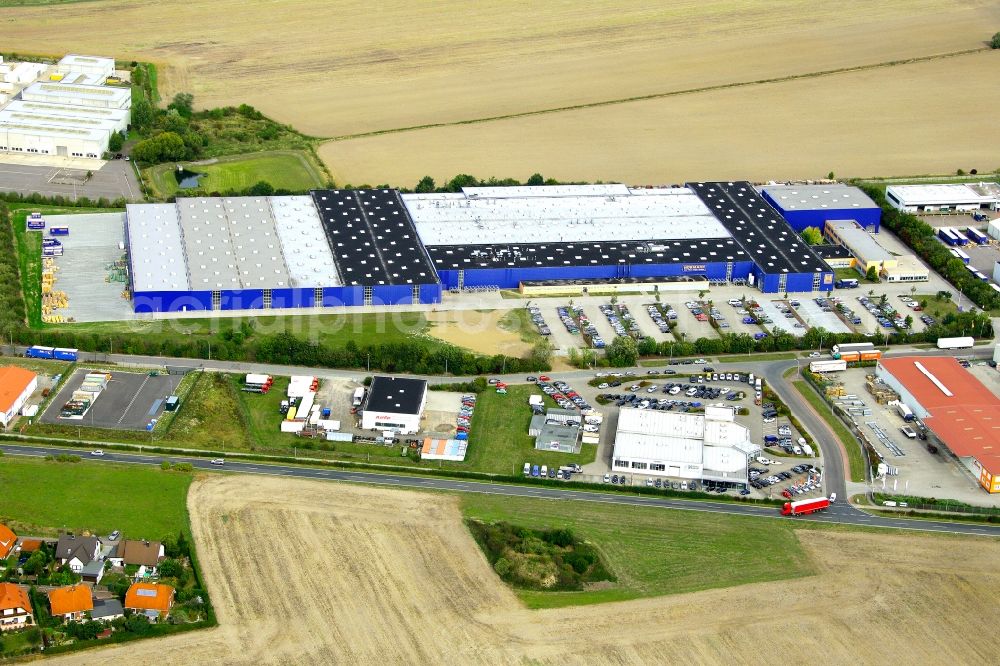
x=706 y=447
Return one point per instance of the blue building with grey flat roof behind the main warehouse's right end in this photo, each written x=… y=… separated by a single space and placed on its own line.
x=815 y=205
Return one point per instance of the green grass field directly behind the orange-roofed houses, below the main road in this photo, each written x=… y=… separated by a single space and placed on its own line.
x=42 y=497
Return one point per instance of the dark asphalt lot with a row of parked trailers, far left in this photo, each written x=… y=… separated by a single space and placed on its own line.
x=129 y=402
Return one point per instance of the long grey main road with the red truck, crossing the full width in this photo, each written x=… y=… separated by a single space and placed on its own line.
x=838 y=513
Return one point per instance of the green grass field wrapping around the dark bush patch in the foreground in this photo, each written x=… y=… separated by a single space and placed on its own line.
x=655 y=551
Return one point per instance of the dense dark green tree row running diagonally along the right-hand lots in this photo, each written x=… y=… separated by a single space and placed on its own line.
x=921 y=237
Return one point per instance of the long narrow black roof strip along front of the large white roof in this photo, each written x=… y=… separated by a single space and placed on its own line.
x=549 y=255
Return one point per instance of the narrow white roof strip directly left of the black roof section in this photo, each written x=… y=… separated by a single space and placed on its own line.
x=307 y=253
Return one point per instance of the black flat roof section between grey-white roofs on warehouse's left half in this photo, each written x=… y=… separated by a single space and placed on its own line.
x=372 y=238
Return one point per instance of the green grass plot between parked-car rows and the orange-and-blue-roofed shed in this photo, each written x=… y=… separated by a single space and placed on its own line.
x=500 y=443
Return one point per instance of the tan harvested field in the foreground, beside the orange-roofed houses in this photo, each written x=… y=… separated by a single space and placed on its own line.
x=363 y=575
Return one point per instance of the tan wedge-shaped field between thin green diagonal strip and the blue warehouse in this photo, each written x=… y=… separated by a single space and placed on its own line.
x=857 y=123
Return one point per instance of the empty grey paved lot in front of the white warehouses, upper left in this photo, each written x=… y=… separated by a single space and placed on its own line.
x=115 y=179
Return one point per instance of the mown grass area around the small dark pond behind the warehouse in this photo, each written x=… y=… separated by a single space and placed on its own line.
x=284 y=169
